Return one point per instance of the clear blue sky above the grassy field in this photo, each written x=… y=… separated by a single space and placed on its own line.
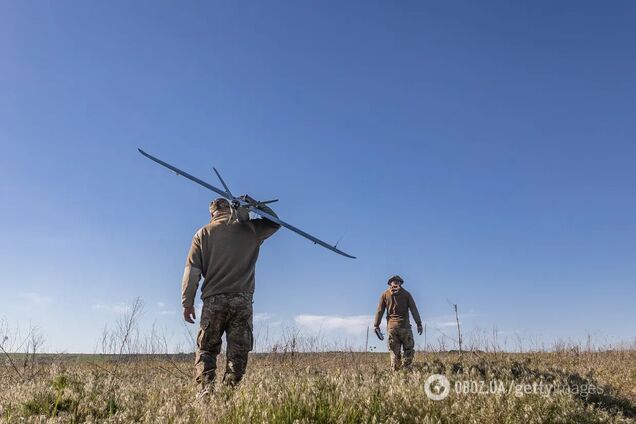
x=484 y=151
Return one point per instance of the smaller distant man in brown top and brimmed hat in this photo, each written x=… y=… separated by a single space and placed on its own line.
x=397 y=302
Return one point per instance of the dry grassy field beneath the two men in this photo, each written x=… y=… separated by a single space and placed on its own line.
x=590 y=387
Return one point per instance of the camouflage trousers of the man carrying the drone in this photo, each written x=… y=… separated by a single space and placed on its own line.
x=230 y=314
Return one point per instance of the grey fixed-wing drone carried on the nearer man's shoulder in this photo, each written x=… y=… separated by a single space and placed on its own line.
x=252 y=206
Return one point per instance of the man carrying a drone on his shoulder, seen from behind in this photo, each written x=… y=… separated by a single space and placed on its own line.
x=224 y=253
